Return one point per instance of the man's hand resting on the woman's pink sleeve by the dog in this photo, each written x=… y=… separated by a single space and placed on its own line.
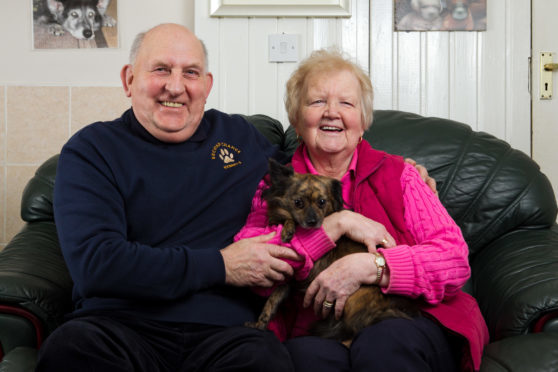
x=253 y=262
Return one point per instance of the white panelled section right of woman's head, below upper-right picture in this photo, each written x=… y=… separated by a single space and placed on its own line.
x=479 y=78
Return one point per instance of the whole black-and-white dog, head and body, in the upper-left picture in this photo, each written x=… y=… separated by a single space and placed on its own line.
x=81 y=18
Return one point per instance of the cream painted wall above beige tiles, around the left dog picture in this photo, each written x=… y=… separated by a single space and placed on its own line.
x=21 y=65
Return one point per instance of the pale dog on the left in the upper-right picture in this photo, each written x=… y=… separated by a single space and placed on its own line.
x=426 y=15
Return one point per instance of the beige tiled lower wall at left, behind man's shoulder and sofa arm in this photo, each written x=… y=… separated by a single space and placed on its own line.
x=35 y=122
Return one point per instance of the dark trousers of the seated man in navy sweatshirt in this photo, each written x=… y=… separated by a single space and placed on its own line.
x=108 y=343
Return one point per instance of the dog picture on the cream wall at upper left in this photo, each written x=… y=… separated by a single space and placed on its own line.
x=71 y=24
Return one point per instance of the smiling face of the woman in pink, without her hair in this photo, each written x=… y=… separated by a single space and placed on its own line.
x=331 y=114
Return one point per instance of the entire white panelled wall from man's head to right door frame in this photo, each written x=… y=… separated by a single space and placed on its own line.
x=480 y=78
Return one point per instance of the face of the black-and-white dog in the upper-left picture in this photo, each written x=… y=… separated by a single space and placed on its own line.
x=81 y=18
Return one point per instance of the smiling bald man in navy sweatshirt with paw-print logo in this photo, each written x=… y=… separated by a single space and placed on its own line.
x=146 y=207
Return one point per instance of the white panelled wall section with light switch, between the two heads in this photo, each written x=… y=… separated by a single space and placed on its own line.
x=245 y=82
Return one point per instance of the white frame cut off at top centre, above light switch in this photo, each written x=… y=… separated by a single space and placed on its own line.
x=280 y=8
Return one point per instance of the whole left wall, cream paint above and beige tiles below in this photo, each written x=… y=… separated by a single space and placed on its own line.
x=47 y=95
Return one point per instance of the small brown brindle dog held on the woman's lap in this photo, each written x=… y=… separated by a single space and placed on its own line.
x=305 y=200
